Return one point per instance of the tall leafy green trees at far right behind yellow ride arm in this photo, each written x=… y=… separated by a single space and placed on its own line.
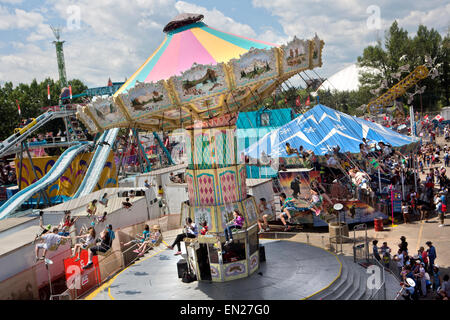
x=400 y=50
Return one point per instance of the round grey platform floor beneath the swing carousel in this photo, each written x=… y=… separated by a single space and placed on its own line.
x=292 y=271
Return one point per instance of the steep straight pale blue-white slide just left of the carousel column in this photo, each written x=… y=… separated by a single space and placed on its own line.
x=97 y=163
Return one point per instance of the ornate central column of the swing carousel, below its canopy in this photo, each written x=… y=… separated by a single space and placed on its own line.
x=216 y=187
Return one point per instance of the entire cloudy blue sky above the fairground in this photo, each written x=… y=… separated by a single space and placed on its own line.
x=115 y=37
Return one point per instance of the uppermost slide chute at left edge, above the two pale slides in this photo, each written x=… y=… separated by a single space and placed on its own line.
x=26 y=131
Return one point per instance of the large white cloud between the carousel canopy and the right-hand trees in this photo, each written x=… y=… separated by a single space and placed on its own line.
x=343 y=24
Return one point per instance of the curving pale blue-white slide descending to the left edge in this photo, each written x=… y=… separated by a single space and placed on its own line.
x=52 y=175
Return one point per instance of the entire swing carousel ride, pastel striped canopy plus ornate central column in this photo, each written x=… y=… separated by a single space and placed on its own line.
x=198 y=79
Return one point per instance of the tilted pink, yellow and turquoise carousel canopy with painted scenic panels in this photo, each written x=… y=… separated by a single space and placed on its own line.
x=199 y=72
